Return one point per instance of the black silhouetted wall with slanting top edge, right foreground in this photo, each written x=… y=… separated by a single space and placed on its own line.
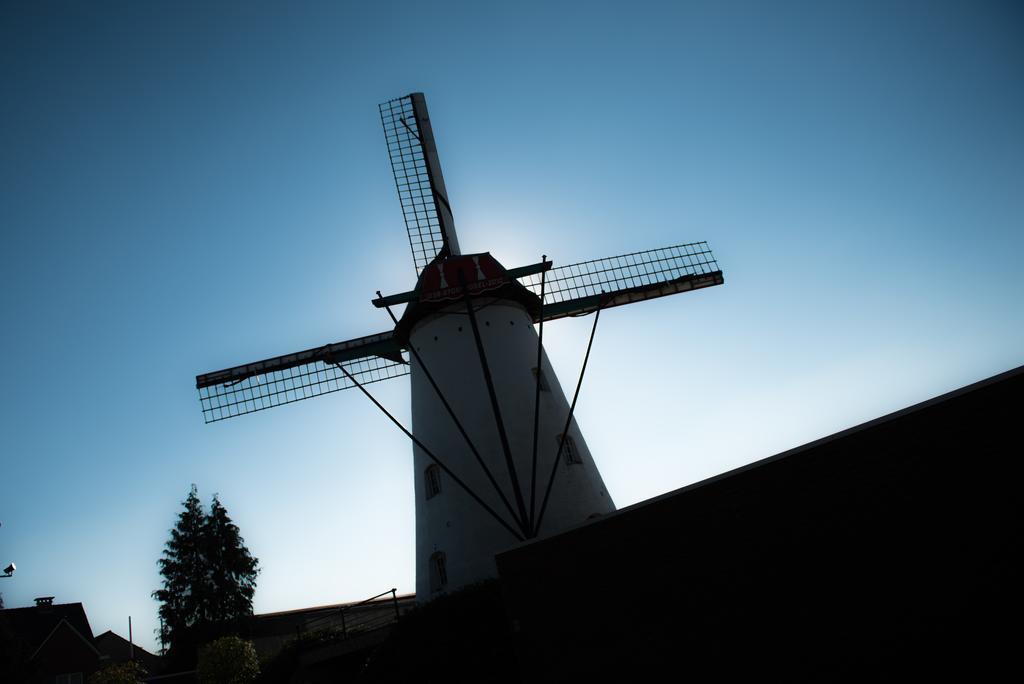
x=893 y=547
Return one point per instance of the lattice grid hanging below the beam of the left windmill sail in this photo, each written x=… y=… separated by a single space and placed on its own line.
x=274 y=389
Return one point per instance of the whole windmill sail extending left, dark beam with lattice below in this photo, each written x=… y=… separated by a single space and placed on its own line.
x=303 y=375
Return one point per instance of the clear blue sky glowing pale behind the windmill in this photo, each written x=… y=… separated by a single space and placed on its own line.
x=187 y=188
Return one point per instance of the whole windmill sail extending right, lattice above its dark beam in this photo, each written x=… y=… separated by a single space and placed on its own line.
x=577 y=289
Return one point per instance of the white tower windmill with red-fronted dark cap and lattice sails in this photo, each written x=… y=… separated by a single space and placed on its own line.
x=498 y=456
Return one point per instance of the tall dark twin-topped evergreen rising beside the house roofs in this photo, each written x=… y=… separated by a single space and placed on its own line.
x=209 y=580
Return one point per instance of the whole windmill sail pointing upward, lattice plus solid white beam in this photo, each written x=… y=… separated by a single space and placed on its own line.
x=418 y=179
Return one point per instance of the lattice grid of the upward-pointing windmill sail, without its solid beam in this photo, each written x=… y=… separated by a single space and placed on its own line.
x=412 y=180
